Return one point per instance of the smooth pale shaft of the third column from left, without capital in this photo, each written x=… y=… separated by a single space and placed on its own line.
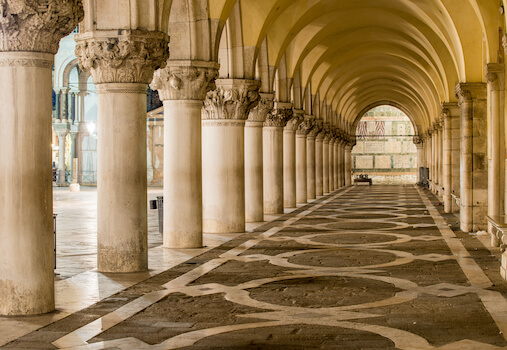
x=182 y=174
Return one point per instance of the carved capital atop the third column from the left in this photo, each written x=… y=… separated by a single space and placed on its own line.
x=185 y=80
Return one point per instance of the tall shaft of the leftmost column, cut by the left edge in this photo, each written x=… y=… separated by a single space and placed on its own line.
x=26 y=223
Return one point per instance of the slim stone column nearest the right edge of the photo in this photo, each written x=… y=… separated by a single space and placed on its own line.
x=496 y=87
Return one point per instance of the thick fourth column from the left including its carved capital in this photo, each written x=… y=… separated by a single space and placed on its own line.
x=223 y=153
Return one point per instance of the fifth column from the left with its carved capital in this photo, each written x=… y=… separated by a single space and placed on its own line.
x=254 y=188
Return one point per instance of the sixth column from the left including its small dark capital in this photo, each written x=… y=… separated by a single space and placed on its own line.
x=273 y=157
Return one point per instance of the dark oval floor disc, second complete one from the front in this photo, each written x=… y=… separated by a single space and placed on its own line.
x=342 y=258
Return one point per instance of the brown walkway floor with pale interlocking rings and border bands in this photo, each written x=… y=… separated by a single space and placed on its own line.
x=377 y=267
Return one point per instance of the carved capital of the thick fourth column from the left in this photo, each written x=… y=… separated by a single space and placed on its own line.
x=232 y=99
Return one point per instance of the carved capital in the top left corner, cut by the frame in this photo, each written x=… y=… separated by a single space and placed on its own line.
x=37 y=25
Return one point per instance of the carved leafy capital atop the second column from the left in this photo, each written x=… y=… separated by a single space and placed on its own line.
x=126 y=56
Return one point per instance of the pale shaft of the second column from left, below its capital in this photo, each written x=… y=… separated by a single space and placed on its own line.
x=122 y=178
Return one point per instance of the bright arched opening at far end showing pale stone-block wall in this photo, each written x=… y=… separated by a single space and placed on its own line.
x=385 y=150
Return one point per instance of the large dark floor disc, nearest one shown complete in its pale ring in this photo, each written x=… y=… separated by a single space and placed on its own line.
x=323 y=292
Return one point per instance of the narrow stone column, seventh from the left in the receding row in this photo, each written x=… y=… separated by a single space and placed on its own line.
x=289 y=162
